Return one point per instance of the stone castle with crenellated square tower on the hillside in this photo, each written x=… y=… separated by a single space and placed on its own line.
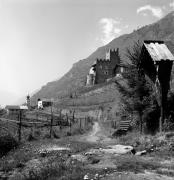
x=104 y=69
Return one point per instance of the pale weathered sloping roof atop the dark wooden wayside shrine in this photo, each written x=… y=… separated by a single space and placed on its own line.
x=158 y=51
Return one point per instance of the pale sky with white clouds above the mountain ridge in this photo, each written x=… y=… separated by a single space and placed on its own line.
x=40 y=40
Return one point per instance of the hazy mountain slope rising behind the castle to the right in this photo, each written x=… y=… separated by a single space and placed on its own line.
x=76 y=77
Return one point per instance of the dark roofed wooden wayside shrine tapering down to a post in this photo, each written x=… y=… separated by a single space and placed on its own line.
x=157 y=61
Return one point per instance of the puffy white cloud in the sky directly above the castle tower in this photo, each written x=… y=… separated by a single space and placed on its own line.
x=109 y=29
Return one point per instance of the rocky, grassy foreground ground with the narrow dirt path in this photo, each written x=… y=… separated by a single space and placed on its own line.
x=94 y=155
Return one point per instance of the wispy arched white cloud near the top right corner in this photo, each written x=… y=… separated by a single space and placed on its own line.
x=156 y=11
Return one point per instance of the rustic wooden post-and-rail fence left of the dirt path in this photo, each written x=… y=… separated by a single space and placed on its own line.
x=41 y=119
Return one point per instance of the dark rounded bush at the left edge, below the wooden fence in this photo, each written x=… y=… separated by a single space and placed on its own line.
x=7 y=143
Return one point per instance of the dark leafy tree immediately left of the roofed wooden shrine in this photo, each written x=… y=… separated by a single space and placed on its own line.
x=136 y=91
